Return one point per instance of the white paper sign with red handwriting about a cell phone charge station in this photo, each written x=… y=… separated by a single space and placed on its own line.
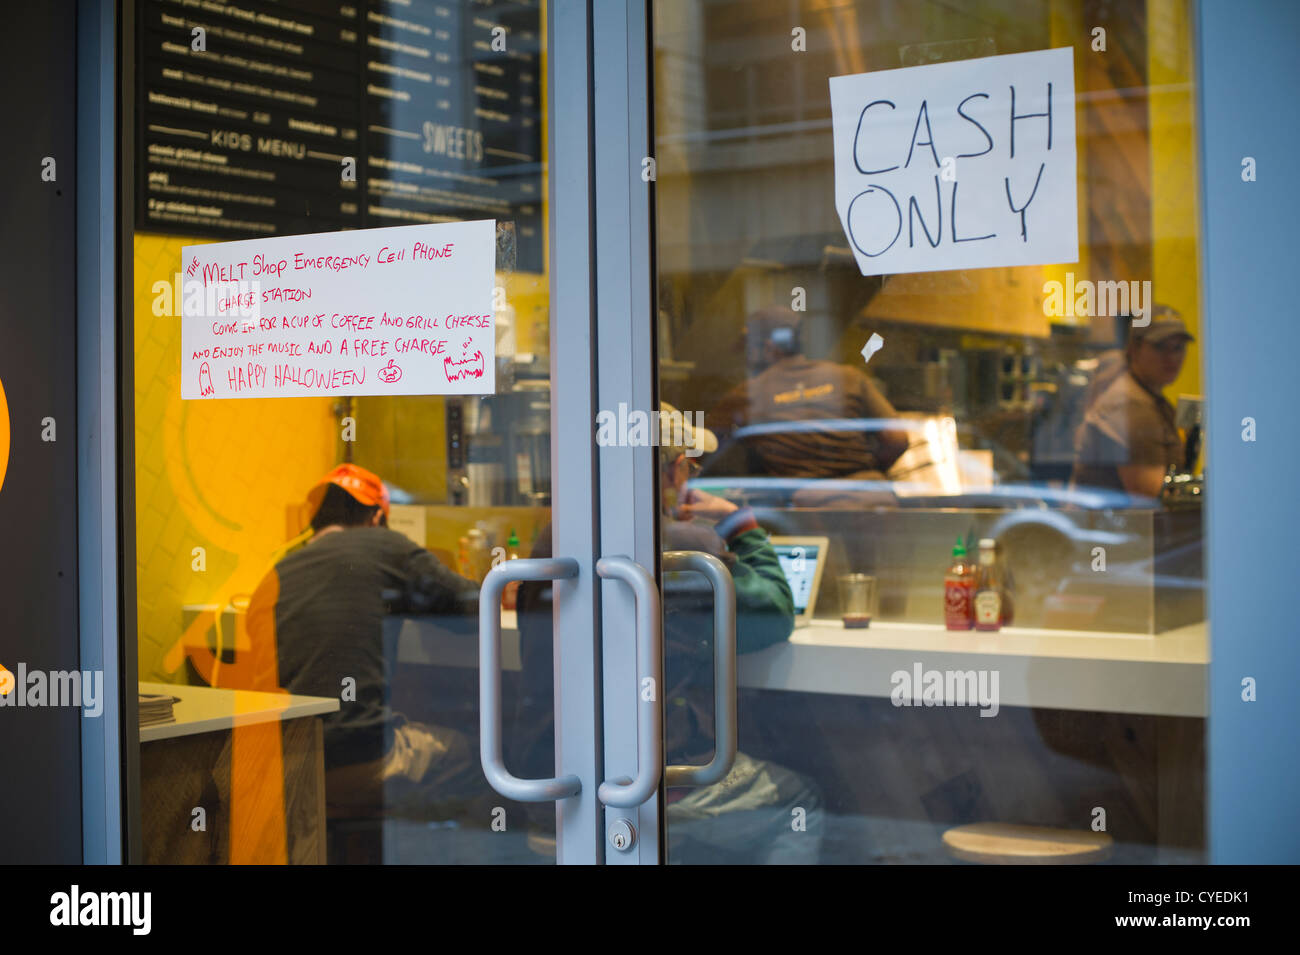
x=404 y=311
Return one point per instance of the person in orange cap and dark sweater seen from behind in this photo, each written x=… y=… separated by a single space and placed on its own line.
x=323 y=610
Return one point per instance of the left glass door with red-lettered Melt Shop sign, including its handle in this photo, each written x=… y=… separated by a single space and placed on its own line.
x=363 y=623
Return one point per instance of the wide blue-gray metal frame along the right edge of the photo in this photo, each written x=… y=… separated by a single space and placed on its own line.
x=1249 y=350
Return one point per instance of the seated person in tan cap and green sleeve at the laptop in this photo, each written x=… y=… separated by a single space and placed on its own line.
x=748 y=815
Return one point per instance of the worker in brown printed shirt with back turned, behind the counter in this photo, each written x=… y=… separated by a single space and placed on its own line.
x=788 y=389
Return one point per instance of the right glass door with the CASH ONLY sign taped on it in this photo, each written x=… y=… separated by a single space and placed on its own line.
x=925 y=336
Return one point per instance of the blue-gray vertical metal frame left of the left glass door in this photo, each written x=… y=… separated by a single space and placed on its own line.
x=106 y=546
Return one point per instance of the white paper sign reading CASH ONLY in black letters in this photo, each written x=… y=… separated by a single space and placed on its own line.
x=959 y=166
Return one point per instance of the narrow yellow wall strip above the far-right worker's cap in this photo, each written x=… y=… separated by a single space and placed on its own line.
x=1176 y=184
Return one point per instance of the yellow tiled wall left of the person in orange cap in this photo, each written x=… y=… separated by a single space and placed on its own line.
x=213 y=475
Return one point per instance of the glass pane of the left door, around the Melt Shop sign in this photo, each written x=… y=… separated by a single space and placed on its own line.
x=306 y=700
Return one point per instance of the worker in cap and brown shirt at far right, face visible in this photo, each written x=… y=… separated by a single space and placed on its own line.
x=1129 y=440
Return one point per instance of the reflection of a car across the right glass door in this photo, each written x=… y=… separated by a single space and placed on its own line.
x=1050 y=533
